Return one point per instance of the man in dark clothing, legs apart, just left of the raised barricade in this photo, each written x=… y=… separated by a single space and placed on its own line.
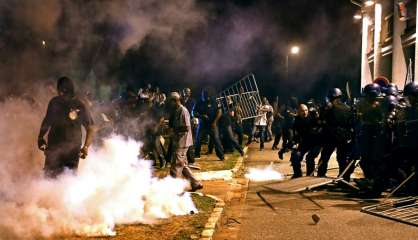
x=209 y=114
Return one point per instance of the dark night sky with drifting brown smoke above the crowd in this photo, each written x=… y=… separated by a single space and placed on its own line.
x=176 y=44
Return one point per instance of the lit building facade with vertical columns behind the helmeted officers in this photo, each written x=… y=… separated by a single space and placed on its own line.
x=389 y=30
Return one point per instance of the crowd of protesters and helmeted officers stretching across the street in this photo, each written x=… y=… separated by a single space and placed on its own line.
x=379 y=129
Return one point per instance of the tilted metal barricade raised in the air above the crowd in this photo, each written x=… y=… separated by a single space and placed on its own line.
x=242 y=94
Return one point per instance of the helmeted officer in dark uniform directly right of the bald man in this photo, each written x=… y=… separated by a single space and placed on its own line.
x=337 y=133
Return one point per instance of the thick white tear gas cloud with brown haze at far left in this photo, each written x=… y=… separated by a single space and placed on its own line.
x=111 y=187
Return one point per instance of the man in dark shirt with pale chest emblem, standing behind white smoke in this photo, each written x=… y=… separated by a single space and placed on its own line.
x=63 y=120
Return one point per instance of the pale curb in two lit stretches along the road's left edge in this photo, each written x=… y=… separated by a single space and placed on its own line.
x=215 y=217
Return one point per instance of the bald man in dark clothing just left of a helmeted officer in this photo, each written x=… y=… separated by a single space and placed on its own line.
x=306 y=129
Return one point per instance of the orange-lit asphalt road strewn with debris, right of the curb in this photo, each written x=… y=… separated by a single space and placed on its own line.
x=289 y=216
